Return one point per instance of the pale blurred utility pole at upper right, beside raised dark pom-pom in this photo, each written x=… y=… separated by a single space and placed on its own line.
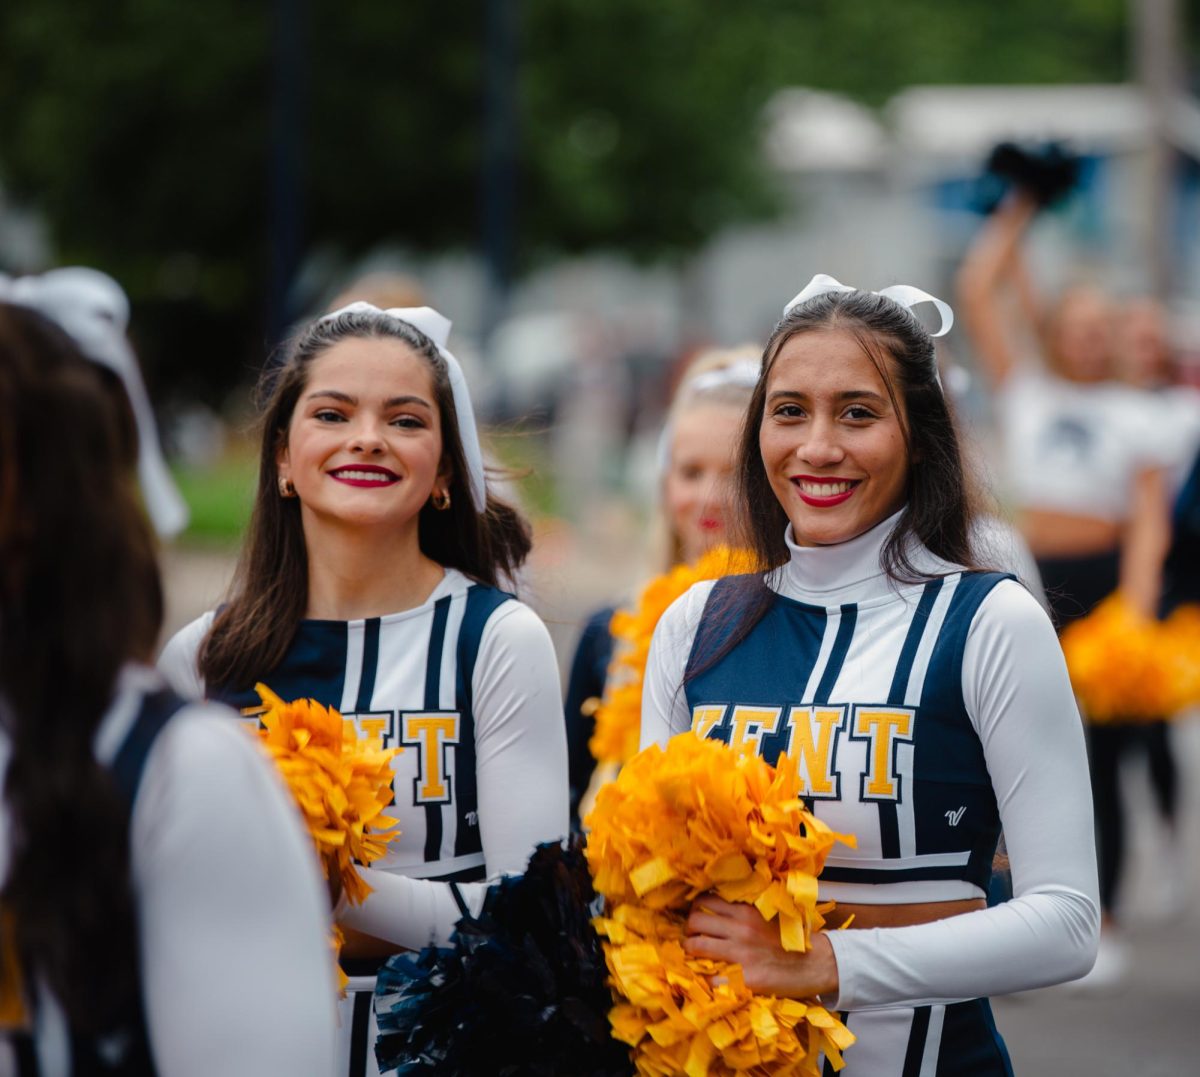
x=1157 y=46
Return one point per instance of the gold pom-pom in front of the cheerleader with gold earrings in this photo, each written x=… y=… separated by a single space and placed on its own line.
x=341 y=783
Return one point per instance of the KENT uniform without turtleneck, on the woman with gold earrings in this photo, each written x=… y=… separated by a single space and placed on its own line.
x=467 y=685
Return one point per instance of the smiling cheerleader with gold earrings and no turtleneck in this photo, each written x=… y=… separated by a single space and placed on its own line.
x=369 y=583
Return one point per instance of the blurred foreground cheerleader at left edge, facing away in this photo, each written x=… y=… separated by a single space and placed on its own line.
x=147 y=930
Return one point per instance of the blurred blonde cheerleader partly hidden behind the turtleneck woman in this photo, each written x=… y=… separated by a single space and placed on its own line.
x=695 y=464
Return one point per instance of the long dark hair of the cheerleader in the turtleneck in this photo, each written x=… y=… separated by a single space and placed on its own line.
x=939 y=500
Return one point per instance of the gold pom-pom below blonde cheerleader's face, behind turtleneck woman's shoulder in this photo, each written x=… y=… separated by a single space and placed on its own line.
x=620 y=713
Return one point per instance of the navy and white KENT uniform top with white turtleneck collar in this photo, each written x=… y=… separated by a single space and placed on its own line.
x=925 y=718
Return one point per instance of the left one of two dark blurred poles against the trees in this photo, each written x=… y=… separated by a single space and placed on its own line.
x=286 y=179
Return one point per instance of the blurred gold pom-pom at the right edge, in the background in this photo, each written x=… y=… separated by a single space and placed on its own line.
x=1126 y=667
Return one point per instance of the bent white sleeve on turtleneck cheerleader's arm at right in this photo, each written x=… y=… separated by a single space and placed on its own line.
x=1017 y=691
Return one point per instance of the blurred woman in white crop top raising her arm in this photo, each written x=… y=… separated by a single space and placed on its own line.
x=1084 y=465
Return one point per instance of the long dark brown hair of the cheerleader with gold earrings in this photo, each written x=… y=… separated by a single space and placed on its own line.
x=251 y=635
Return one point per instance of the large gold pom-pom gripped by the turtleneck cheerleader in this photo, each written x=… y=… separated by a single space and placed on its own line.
x=679 y=823
